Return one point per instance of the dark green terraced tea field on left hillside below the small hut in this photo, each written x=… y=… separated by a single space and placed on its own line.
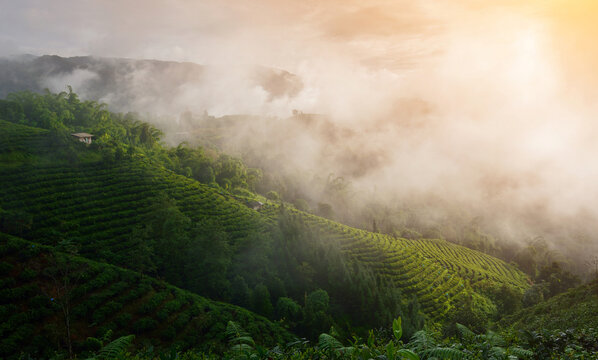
x=101 y=204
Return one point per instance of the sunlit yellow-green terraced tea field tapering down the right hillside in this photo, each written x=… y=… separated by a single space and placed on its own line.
x=437 y=272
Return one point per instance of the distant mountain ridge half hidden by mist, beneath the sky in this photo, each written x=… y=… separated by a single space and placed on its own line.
x=142 y=85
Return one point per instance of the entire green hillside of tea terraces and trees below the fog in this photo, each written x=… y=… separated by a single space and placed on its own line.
x=128 y=244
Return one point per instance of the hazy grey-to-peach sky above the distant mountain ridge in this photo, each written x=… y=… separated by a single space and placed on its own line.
x=276 y=33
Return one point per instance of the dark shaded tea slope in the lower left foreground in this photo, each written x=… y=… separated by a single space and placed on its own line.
x=107 y=297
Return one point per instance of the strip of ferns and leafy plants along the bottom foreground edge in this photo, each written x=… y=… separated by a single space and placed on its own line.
x=423 y=344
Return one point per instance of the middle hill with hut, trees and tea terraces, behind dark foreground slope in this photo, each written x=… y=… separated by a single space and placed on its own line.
x=190 y=217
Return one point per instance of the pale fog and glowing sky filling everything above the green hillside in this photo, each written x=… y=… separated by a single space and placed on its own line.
x=488 y=110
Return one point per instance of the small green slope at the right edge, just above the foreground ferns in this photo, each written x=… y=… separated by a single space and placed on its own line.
x=576 y=308
